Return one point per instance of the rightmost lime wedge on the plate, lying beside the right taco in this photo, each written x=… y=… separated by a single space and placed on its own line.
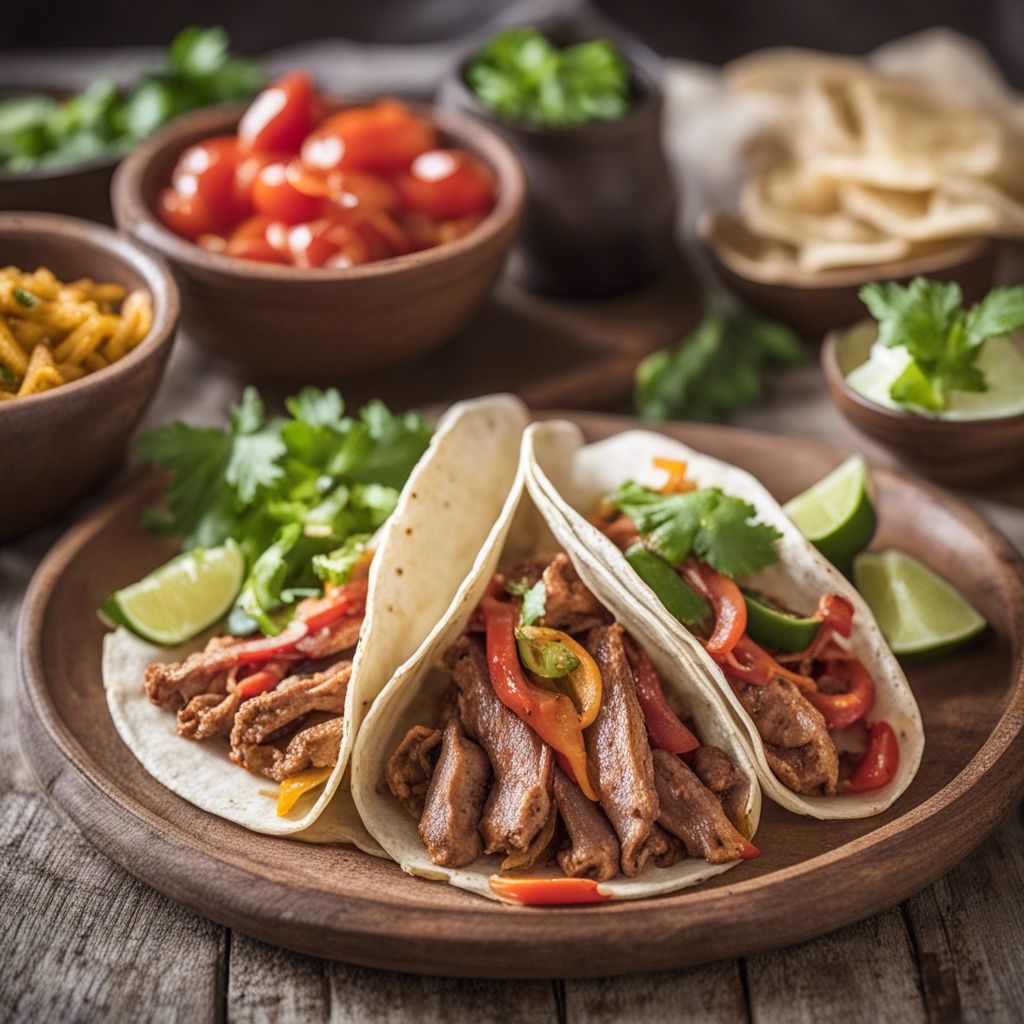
x=917 y=611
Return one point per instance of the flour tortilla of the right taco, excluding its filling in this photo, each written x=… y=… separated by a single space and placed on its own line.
x=571 y=478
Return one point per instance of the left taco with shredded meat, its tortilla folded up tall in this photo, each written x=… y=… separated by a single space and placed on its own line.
x=260 y=732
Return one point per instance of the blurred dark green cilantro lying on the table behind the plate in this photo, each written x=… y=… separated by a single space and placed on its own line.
x=717 y=370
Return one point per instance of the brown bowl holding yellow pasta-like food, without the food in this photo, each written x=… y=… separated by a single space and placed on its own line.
x=60 y=445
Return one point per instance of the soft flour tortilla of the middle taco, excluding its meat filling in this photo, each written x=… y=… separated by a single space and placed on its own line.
x=414 y=695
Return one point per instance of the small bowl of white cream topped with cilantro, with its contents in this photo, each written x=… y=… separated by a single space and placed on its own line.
x=941 y=385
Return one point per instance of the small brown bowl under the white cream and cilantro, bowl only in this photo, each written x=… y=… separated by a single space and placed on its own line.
x=957 y=453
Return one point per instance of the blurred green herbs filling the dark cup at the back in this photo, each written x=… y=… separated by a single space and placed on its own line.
x=522 y=75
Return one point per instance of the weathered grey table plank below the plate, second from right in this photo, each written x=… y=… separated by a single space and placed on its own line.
x=855 y=974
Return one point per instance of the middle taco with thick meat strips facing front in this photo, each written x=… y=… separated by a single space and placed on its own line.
x=545 y=746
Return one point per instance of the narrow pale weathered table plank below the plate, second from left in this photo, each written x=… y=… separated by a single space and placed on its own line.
x=268 y=986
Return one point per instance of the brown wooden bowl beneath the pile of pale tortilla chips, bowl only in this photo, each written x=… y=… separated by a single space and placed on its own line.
x=815 y=304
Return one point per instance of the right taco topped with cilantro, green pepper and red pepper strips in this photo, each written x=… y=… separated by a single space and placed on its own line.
x=777 y=632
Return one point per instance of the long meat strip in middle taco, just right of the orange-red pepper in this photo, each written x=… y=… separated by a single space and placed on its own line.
x=618 y=749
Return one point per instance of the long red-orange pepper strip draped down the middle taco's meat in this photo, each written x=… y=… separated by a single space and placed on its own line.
x=552 y=716
